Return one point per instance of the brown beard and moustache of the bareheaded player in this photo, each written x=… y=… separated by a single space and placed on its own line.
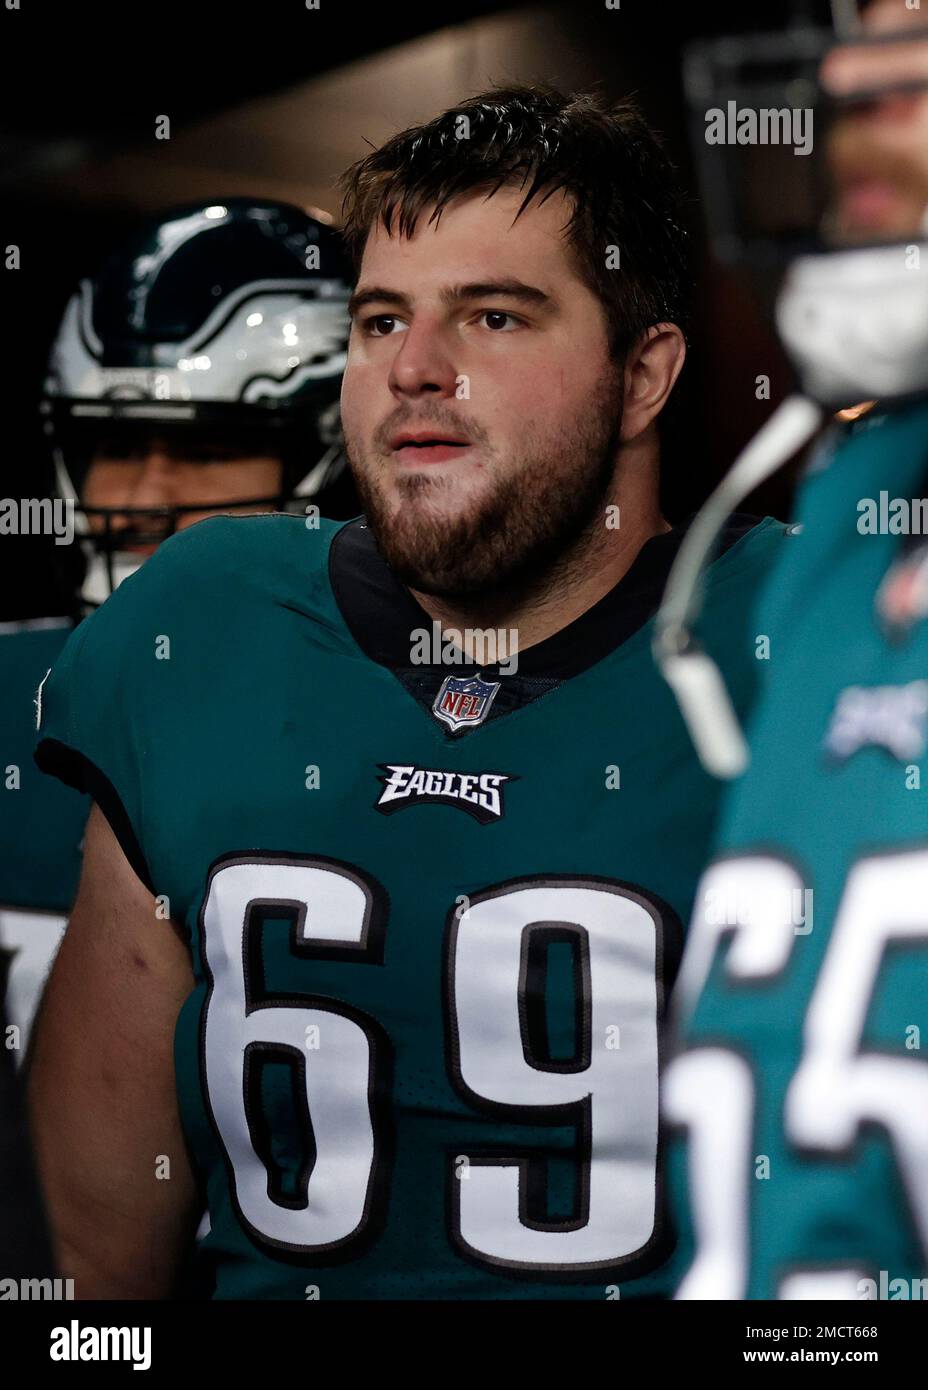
x=529 y=525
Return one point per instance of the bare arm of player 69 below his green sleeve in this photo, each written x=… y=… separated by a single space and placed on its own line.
x=101 y=1088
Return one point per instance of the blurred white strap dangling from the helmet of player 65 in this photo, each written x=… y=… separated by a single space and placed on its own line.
x=691 y=672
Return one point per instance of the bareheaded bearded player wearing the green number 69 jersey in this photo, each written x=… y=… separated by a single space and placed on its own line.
x=395 y=824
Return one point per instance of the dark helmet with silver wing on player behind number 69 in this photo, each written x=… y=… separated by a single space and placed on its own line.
x=224 y=319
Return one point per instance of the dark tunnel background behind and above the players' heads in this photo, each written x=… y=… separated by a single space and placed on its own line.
x=84 y=83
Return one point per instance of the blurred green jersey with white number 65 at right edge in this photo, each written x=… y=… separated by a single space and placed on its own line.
x=802 y=1086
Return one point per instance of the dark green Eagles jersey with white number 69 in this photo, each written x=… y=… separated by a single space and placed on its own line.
x=431 y=949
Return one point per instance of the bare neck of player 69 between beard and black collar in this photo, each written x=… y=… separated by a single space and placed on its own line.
x=541 y=607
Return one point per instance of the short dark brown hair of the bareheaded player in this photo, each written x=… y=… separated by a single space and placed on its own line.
x=606 y=161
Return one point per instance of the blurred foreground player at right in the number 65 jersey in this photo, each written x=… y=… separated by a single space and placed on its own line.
x=804 y=992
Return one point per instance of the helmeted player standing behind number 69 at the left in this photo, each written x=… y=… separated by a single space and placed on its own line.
x=197 y=373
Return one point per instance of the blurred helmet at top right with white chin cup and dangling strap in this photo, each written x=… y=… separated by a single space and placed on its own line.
x=852 y=308
